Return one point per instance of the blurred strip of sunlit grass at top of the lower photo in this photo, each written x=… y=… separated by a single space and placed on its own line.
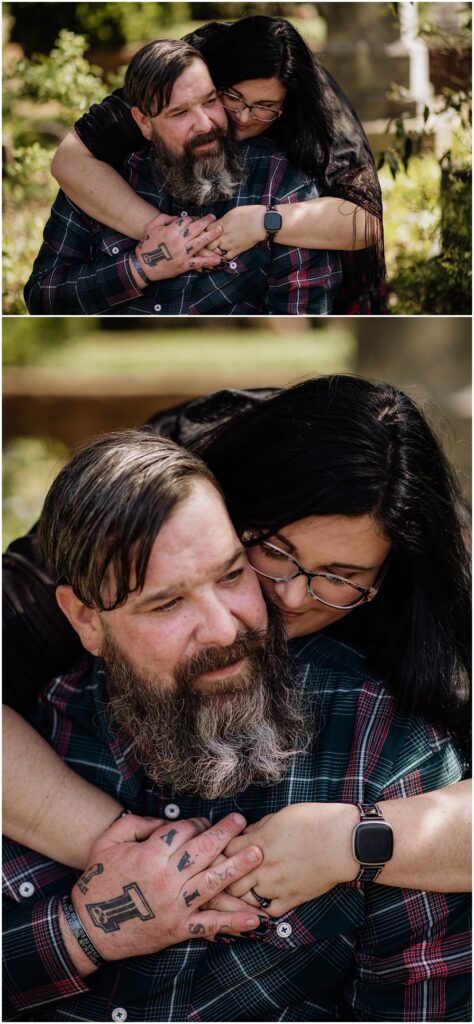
x=185 y=353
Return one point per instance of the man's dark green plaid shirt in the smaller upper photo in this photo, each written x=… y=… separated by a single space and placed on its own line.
x=83 y=267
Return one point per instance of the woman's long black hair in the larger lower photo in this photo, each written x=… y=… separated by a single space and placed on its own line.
x=344 y=446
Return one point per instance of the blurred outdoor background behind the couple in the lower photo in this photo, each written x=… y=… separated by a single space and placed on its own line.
x=68 y=379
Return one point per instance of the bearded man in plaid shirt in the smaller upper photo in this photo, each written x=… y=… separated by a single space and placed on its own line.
x=193 y=172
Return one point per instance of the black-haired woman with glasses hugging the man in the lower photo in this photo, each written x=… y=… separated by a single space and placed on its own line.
x=343 y=478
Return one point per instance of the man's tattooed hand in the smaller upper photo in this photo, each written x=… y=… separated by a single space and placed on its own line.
x=177 y=245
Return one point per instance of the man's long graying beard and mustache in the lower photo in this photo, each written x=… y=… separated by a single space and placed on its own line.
x=214 y=745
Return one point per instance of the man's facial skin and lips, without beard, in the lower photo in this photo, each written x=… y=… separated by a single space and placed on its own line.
x=199 y=595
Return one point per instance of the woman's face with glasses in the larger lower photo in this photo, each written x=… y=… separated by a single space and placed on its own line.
x=354 y=547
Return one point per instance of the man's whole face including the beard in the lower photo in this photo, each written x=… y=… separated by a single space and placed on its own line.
x=196 y=673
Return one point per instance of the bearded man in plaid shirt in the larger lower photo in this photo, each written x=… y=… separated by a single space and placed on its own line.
x=153 y=578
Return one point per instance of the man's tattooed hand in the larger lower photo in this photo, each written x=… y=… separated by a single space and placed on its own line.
x=148 y=882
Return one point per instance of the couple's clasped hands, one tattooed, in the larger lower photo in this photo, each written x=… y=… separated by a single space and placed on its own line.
x=151 y=884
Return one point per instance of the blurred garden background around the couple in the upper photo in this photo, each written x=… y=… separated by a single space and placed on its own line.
x=406 y=67
